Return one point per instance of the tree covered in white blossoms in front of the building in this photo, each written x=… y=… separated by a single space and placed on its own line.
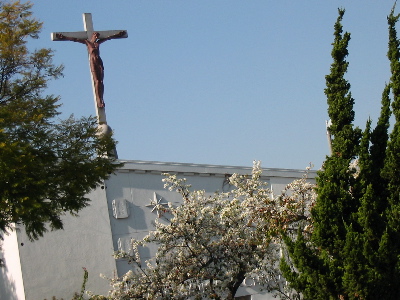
x=211 y=244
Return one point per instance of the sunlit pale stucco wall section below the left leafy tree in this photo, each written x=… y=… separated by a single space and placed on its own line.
x=52 y=266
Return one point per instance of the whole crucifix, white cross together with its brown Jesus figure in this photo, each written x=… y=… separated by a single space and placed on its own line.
x=92 y=39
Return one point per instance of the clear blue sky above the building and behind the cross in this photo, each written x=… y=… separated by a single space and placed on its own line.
x=219 y=82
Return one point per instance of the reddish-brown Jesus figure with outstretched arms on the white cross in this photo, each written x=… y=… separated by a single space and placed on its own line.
x=96 y=63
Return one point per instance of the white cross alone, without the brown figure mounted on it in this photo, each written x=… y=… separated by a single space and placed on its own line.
x=79 y=36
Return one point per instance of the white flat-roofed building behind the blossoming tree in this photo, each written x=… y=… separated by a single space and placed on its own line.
x=52 y=266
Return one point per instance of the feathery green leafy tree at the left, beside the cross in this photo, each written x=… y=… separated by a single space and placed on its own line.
x=47 y=166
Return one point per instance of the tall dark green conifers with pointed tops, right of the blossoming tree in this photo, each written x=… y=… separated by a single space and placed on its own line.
x=354 y=250
